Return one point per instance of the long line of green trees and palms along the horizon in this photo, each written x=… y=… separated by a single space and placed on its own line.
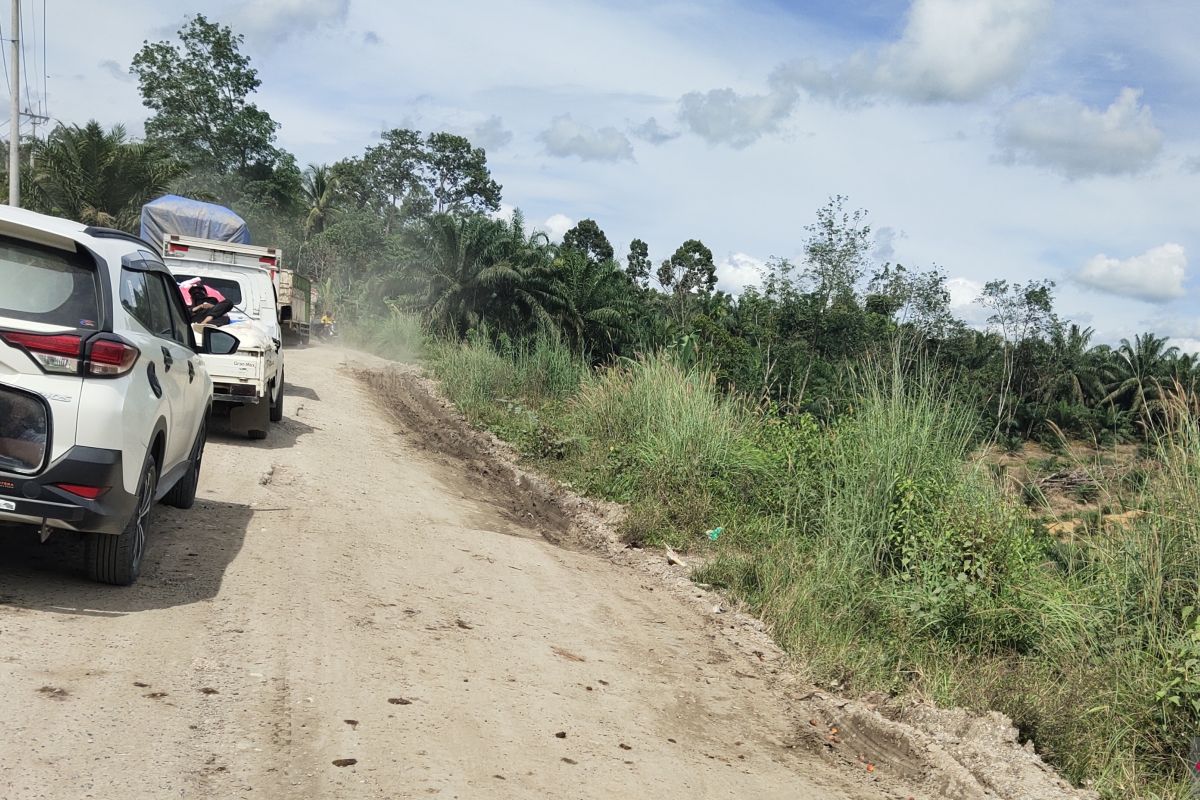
x=411 y=225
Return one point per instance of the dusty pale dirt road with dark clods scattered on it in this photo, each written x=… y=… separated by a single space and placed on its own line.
x=343 y=593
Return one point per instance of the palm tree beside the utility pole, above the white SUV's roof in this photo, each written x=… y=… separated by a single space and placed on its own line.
x=99 y=177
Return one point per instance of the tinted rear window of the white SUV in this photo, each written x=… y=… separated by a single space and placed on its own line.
x=50 y=286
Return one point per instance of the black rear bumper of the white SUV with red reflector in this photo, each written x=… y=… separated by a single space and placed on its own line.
x=38 y=502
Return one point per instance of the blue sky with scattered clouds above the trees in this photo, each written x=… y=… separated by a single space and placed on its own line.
x=1013 y=140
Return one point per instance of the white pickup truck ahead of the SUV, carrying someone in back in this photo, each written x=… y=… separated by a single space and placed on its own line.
x=250 y=381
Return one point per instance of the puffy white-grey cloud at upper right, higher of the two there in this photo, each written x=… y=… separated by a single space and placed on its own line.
x=1066 y=136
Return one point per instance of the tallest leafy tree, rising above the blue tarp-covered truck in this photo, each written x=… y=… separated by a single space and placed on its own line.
x=199 y=93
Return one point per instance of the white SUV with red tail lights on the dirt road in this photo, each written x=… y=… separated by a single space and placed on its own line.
x=104 y=396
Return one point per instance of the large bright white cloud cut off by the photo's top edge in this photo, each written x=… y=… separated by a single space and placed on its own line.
x=951 y=51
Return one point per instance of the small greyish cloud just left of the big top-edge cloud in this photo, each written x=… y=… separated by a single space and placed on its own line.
x=724 y=117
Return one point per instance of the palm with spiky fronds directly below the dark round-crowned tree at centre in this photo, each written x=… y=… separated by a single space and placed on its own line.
x=597 y=303
